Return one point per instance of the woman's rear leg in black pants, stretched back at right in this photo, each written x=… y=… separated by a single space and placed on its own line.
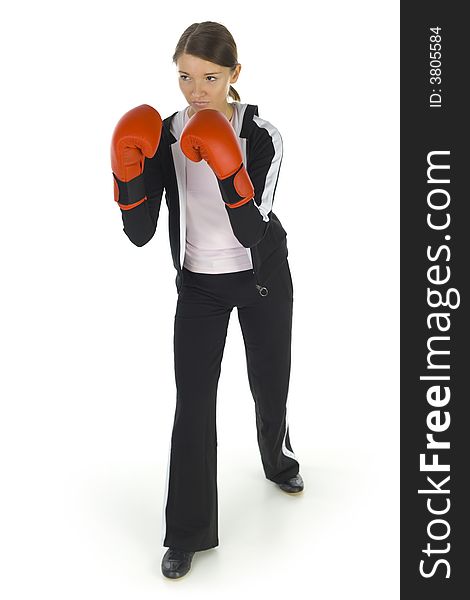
x=266 y=324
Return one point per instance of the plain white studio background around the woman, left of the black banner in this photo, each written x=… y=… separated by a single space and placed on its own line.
x=87 y=386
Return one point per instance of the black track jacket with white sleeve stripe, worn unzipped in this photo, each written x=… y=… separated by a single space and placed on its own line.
x=254 y=224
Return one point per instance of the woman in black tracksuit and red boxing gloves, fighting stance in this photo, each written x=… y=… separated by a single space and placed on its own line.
x=218 y=162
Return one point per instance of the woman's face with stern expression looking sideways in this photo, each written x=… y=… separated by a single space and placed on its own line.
x=205 y=84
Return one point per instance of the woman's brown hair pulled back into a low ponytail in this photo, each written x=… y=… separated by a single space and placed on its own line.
x=212 y=42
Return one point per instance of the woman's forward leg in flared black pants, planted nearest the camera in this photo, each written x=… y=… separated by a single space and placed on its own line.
x=200 y=328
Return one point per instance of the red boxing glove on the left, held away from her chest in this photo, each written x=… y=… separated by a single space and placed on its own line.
x=135 y=137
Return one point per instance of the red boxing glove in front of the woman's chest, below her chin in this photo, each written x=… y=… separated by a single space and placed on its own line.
x=208 y=135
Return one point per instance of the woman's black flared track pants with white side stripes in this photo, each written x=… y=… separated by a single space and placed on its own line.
x=205 y=302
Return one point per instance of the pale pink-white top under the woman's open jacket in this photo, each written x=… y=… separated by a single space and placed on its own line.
x=211 y=246
